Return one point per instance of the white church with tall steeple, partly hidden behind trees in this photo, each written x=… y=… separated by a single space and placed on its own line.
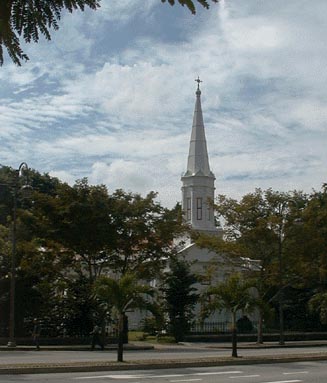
x=198 y=189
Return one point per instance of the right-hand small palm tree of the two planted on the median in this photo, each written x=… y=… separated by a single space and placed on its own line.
x=232 y=295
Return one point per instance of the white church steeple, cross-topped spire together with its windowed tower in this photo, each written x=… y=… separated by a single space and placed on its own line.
x=198 y=180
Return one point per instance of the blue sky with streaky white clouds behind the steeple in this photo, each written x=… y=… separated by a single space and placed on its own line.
x=111 y=96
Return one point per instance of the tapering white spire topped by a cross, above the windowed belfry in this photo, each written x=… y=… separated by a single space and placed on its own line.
x=198 y=162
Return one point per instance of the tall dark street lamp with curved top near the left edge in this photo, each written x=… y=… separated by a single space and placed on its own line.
x=18 y=173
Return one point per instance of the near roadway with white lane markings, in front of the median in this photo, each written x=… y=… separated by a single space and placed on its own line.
x=306 y=372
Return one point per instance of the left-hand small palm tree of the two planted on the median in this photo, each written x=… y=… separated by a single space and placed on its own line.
x=121 y=295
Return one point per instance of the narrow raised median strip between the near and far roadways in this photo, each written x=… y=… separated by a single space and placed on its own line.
x=146 y=365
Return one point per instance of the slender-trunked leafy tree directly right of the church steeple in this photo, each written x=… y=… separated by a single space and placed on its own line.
x=249 y=231
